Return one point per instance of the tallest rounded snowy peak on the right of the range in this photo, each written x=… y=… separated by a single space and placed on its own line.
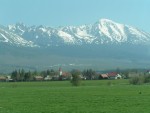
x=118 y=33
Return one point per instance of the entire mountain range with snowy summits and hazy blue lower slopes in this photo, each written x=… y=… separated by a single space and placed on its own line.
x=104 y=44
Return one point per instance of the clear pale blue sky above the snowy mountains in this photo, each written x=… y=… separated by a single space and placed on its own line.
x=56 y=13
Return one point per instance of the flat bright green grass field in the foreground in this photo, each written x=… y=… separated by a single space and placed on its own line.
x=115 y=96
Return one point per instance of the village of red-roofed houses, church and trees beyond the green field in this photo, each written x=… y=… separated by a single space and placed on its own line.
x=60 y=75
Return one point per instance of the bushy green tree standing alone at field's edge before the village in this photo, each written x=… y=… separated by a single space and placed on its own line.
x=76 y=79
